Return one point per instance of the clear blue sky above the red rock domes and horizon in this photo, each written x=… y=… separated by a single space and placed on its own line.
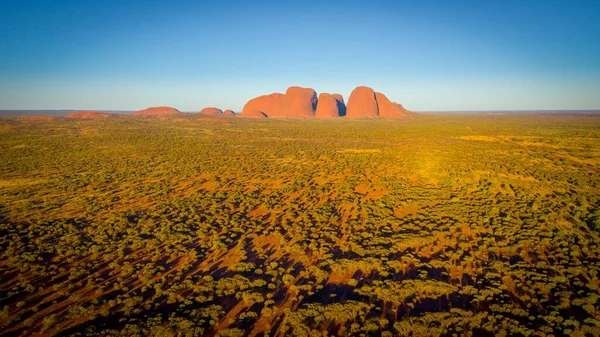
x=427 y=55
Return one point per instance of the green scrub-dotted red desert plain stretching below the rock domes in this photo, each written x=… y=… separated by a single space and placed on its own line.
x=438 y=226
